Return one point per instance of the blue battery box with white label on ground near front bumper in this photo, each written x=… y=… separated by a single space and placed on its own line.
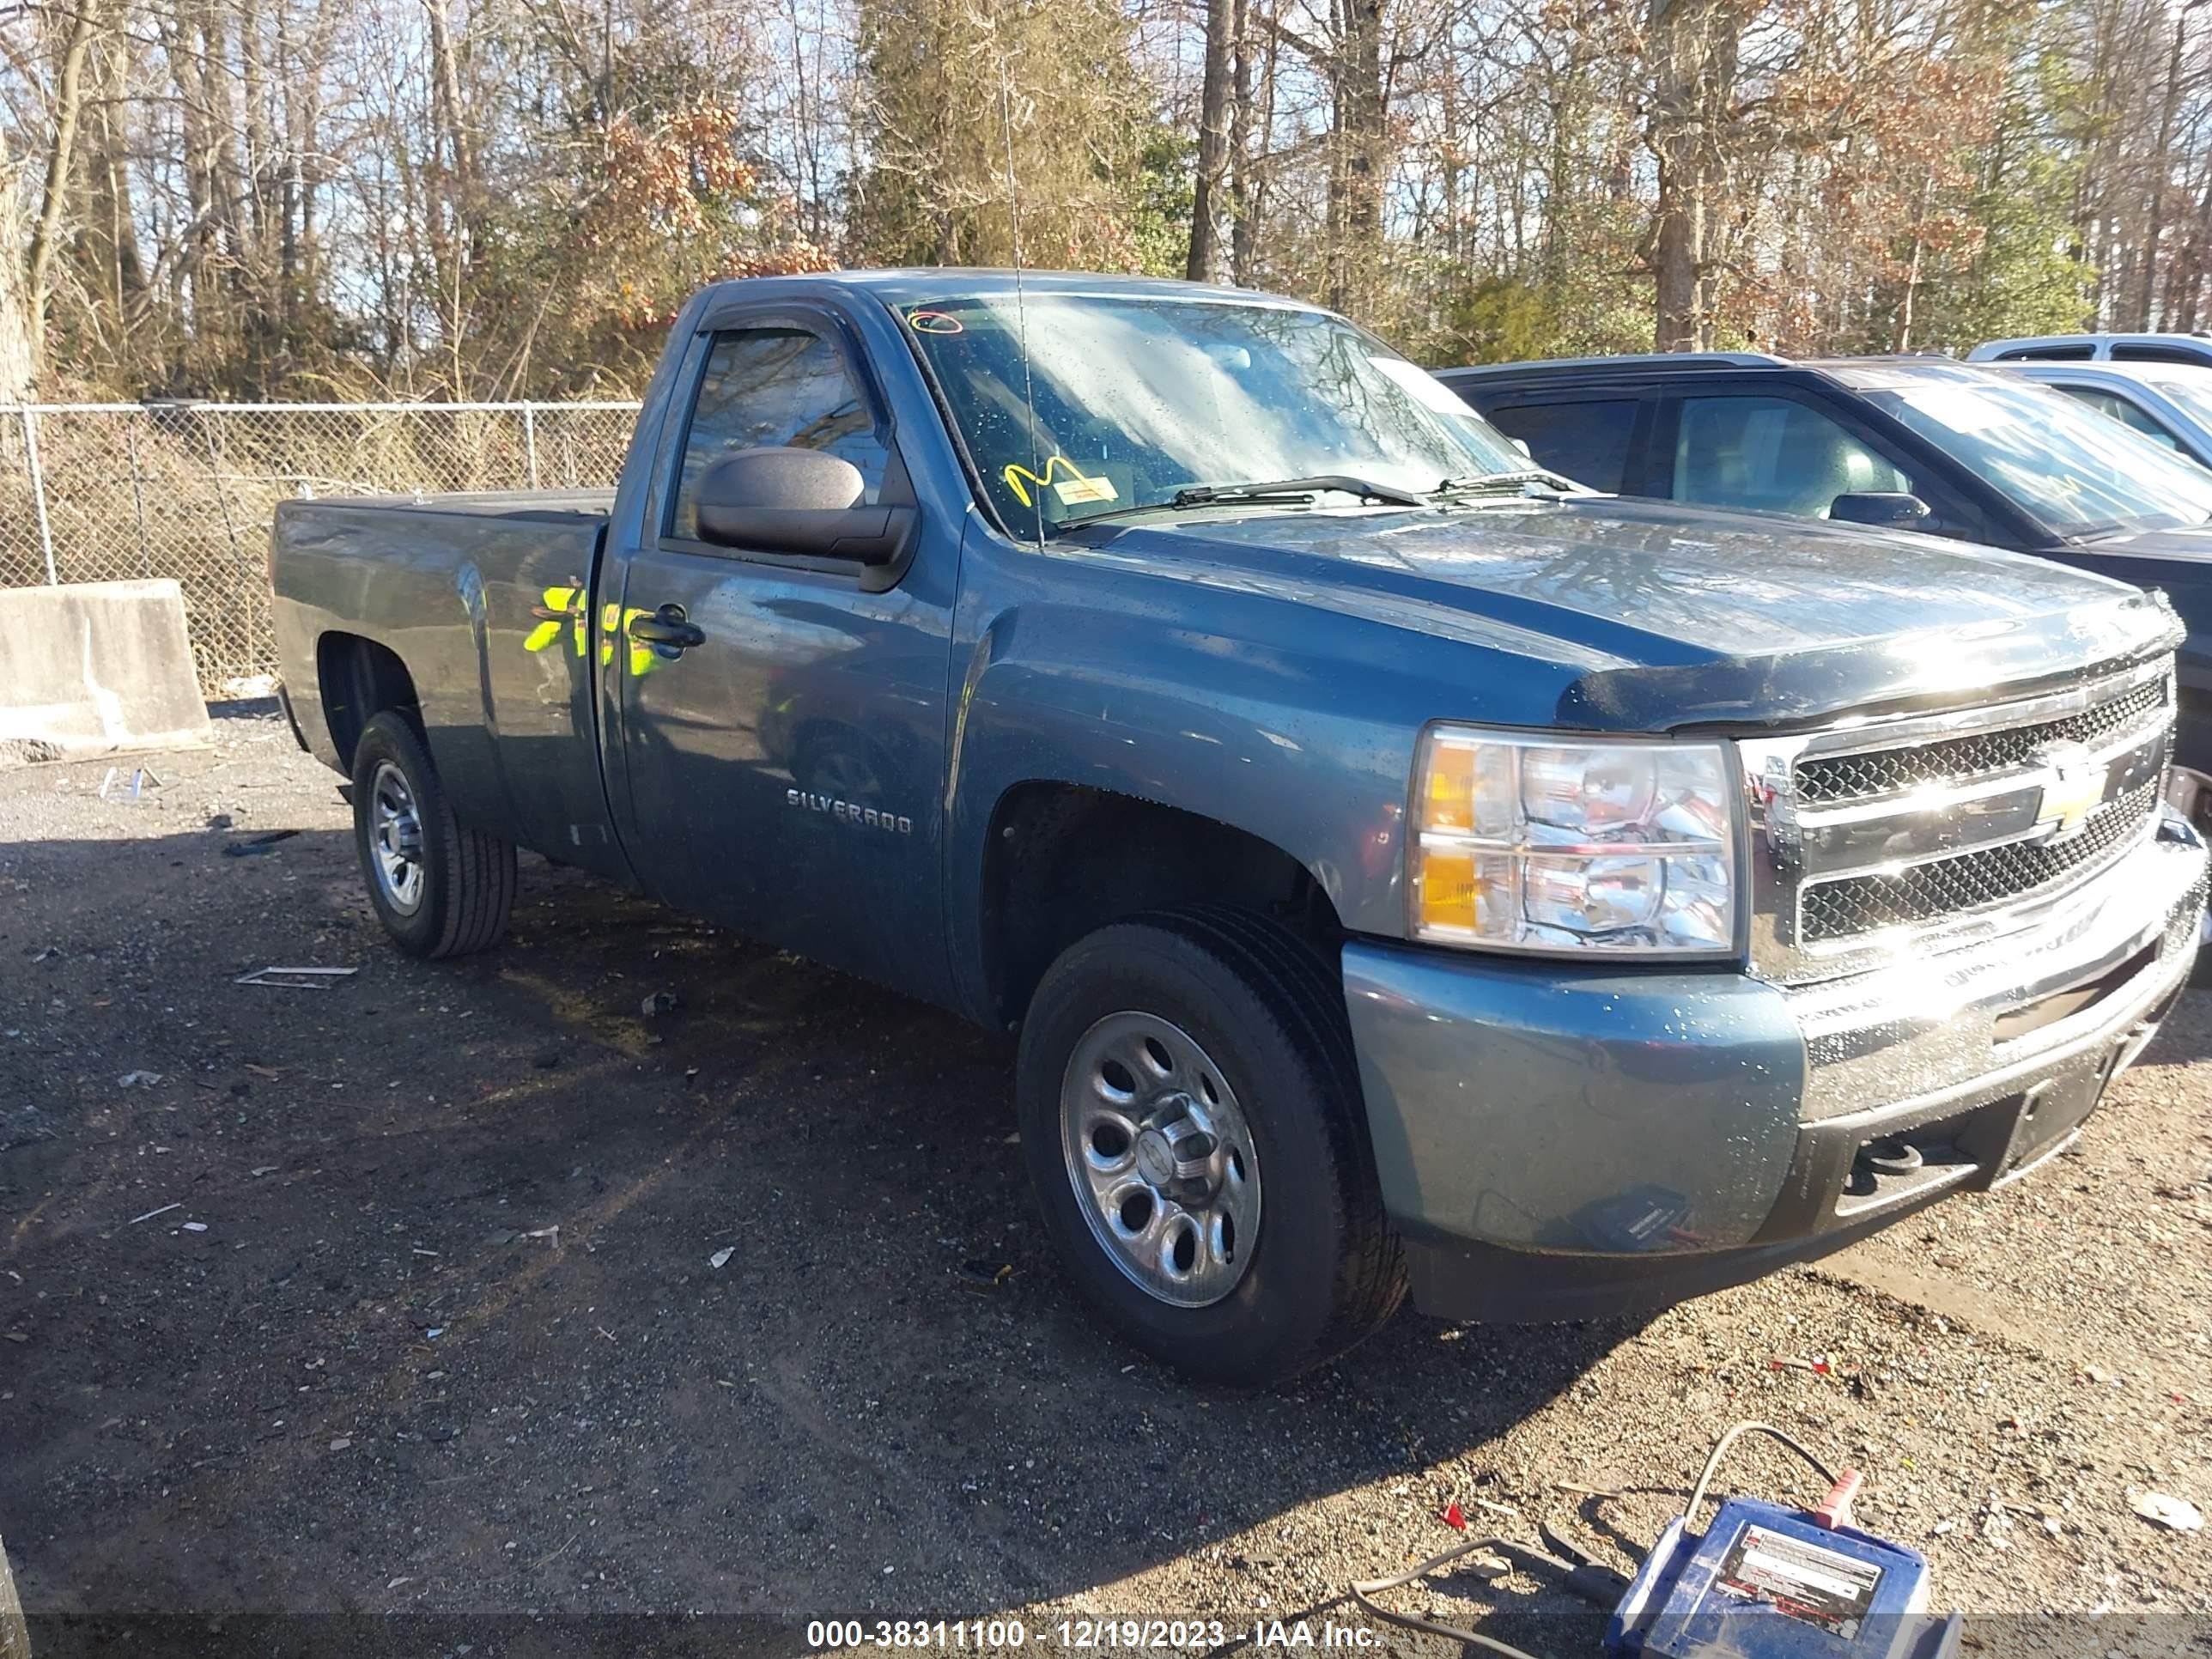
x=1768 y=1583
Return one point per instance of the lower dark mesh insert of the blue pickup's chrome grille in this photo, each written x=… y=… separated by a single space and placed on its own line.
x=1972 y=881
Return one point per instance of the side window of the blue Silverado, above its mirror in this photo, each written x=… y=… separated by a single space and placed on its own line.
x=775 y=386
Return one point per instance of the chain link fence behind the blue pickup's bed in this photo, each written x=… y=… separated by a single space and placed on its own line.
x=103 y=492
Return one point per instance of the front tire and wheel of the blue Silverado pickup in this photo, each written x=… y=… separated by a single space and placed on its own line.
x=1262 y=1087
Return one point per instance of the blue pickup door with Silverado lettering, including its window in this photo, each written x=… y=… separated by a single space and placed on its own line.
x=784 y=762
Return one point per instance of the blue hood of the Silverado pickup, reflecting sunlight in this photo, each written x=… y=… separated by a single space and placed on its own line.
x=1678 y=616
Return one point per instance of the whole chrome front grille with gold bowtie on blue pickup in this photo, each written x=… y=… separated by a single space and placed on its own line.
x=1890 y=835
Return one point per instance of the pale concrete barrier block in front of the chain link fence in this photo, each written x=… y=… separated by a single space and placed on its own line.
x=98 y=667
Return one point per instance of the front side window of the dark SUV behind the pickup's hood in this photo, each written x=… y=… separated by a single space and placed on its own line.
x=1773 y=455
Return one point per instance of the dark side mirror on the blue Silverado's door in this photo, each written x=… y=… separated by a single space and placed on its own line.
x=800 y=501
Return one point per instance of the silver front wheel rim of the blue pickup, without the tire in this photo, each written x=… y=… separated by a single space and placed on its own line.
x=1160 y=1158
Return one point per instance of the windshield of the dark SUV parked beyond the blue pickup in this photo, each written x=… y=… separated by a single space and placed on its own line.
x=2074 y=470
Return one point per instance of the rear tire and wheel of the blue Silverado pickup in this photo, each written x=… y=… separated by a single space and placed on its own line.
x=446 y=890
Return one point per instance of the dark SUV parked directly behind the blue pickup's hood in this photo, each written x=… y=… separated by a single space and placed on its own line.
x=1903 y=444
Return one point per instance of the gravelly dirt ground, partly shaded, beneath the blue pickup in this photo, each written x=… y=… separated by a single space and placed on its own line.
x=470 y=1291
